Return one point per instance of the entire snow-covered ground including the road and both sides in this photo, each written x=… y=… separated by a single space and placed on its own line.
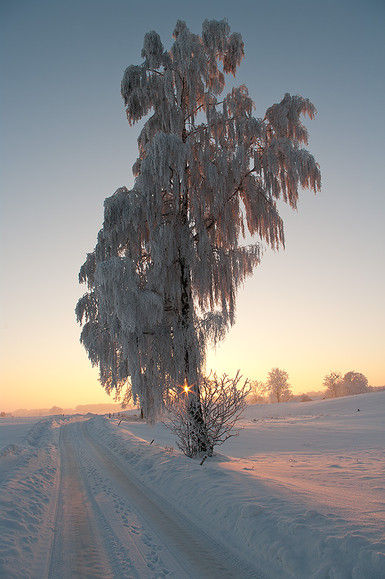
x=299 y=493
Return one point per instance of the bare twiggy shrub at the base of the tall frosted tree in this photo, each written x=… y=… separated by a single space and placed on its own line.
x=222 y=401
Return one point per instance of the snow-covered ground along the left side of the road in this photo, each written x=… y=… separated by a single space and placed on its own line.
x=28 y=476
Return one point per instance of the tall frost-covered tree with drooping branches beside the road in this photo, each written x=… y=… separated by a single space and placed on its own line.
x=163 y=277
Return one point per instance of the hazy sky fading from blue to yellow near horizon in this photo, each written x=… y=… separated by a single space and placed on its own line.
x=317 y=306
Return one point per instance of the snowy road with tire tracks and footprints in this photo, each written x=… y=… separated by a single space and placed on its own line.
x=108 y=525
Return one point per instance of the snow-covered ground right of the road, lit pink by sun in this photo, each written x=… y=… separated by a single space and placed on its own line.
x=300 y=492
